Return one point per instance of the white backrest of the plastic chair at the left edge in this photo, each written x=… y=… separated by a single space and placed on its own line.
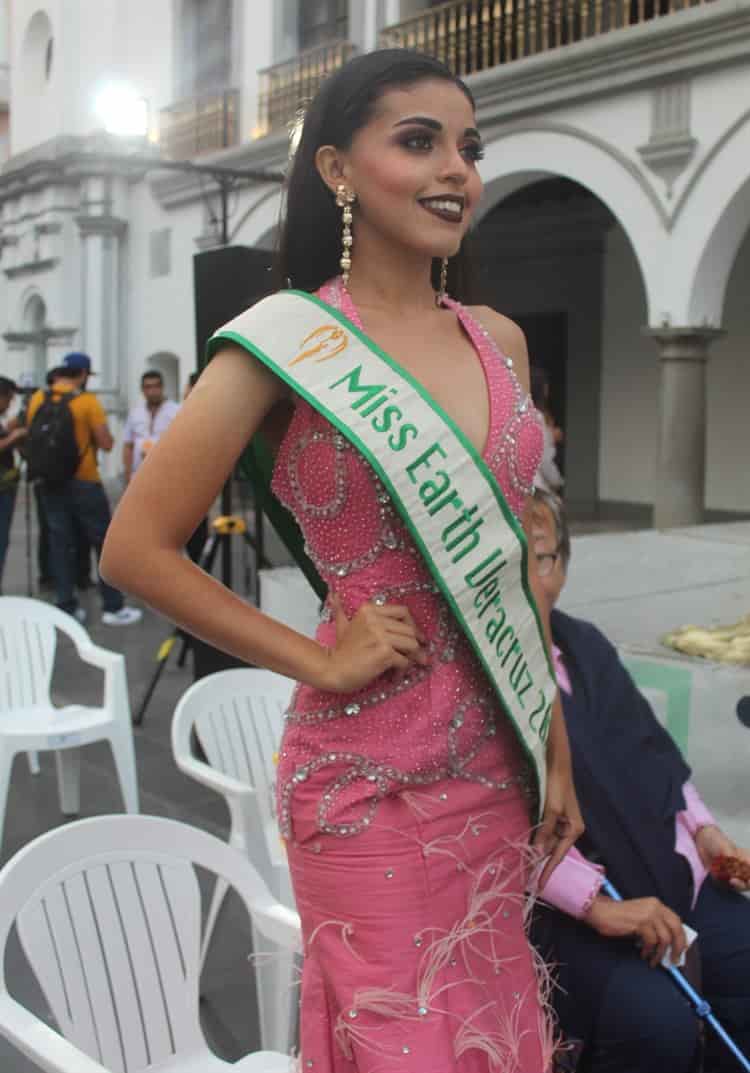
x=27 y=653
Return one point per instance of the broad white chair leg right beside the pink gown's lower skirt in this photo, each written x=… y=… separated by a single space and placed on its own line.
x=278 y=990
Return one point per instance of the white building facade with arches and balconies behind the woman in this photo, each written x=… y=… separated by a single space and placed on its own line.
x=615 y=226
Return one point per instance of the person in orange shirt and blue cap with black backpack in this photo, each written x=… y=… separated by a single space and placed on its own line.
x=67 y=428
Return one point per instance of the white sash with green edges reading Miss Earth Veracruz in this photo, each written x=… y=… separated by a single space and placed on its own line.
x=447 y=496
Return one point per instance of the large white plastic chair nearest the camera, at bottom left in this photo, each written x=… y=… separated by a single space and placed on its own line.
x=109 y=915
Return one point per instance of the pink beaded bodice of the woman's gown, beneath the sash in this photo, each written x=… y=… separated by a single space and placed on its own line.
x=439 y=722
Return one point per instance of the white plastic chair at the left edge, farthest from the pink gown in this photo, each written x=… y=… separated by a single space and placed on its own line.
x=28 y=721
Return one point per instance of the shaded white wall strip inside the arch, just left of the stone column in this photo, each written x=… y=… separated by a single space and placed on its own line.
x=630 y=383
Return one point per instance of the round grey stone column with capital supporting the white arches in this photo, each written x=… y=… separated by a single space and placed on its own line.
x=682 y=451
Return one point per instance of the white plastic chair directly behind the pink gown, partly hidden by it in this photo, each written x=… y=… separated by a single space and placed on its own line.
x=239 y=717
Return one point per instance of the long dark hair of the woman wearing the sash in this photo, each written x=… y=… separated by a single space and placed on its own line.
x=310 y=243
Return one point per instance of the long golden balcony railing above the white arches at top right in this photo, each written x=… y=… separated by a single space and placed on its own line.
x=474 y=36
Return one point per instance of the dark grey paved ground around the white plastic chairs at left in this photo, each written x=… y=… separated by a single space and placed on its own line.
x=228 y=1008
